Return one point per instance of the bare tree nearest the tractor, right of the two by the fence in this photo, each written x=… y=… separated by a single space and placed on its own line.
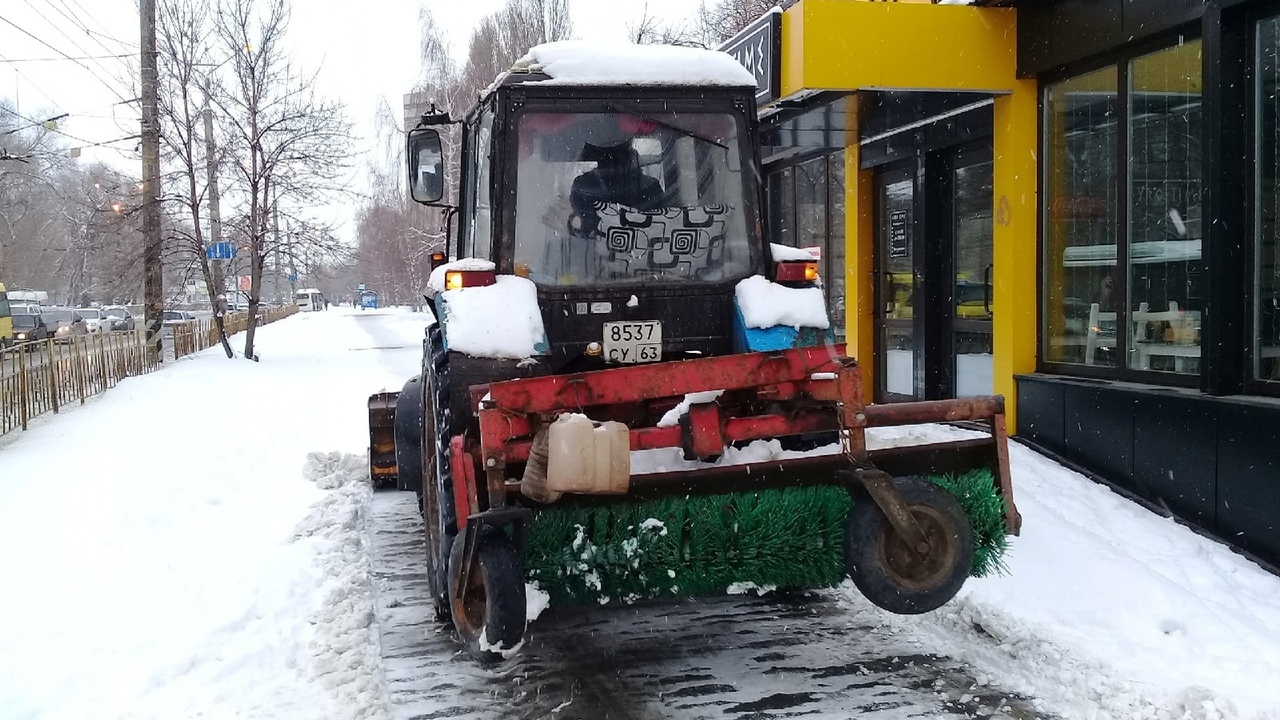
x=289 y=148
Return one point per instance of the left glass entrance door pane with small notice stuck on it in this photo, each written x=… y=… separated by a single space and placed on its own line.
x=898 y=339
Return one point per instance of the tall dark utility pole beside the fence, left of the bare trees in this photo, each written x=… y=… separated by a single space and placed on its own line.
x=154 y=286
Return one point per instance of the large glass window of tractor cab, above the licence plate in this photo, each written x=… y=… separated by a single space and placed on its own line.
x=630 y=199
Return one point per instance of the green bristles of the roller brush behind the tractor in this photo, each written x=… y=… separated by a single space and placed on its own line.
x=592 y=552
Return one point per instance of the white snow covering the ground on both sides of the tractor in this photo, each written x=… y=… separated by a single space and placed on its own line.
x=172 y=552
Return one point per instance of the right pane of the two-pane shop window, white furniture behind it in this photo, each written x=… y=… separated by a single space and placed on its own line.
x=1167 y=270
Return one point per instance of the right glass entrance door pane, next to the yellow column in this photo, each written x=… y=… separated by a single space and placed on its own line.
x=973 y=266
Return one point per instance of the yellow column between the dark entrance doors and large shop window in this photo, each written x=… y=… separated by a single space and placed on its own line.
x=1016 y=212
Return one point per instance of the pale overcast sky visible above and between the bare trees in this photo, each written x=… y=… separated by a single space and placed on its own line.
x=365 y=51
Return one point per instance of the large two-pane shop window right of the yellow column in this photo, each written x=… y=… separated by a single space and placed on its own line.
x=1126 y=297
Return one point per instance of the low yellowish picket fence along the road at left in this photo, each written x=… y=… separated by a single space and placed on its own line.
x=43 y=377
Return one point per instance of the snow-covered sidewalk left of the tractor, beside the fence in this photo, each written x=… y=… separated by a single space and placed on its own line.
x=164 y=555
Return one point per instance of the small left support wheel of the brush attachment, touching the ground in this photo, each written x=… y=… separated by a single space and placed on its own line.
x=492 y=617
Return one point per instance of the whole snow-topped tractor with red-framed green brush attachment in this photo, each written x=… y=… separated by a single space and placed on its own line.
x=628 y=393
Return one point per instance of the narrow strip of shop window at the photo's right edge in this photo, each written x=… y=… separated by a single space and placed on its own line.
x=1267 y=254
